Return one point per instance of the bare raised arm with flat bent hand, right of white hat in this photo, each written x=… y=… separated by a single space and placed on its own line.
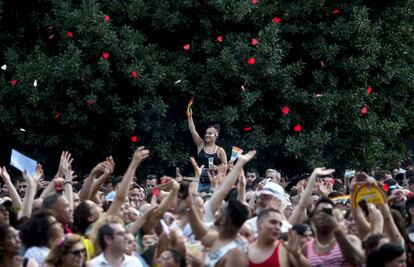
x=299 y=212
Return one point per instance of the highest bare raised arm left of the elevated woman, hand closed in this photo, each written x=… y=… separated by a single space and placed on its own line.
x=139 y=155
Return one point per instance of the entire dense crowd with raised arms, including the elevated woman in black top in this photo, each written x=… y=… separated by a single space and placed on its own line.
x=226 y=214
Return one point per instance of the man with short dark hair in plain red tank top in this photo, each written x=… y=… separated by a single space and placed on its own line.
x=268 y=250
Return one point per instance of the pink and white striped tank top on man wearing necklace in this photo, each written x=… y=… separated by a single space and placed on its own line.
x=333 y=258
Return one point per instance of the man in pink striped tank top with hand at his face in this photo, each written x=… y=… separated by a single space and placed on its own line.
x=331 y=246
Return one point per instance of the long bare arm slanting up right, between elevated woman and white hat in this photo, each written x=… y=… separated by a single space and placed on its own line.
x=220 y=194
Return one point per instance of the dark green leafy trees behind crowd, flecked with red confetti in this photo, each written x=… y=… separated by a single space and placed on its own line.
x=110 y=70
